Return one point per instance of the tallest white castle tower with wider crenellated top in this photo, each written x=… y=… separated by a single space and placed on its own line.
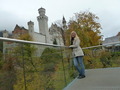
x=43 y=24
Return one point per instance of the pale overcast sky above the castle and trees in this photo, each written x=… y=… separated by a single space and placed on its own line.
x=19 y=12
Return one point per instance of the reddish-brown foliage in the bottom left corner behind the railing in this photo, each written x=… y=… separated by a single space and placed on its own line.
x=8 y=74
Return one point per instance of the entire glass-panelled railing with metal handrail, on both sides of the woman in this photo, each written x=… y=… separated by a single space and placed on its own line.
x=29 y=65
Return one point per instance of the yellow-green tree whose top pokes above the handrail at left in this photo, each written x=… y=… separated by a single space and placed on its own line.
x=26 y=50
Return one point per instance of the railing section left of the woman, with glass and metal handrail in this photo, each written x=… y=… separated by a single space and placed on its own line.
x=29 y=65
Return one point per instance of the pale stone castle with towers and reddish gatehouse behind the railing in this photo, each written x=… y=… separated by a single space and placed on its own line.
x=45 y=34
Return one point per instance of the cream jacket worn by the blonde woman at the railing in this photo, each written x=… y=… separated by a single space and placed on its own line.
x=77 y=51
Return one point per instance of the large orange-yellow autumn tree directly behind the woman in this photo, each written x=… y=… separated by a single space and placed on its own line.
x=87 y=27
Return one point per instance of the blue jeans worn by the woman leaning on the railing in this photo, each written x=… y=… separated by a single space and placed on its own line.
x=78 y=63
